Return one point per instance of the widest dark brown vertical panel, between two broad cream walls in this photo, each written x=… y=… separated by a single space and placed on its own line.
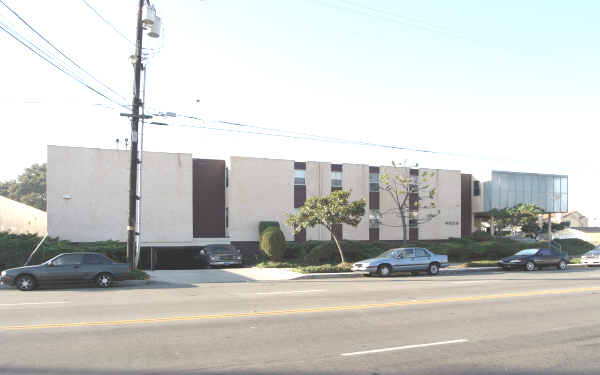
x=208 y=198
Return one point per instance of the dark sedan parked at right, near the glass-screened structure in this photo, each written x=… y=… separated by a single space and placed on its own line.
x=532 y=259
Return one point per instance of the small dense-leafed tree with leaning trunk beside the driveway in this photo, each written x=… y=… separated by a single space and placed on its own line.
x=329 y=211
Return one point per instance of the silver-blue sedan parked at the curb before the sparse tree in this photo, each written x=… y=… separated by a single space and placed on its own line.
x=402 y=260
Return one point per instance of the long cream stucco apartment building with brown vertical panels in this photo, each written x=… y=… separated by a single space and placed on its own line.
x=189 y=202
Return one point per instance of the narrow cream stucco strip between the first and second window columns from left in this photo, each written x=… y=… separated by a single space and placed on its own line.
x=318 y=184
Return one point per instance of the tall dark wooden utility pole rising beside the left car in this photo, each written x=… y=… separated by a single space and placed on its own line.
x=135 y=108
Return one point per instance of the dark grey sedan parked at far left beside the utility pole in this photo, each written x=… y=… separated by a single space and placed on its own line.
x=68 y=268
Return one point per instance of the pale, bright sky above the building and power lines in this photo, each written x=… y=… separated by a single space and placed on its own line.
x=509 y=85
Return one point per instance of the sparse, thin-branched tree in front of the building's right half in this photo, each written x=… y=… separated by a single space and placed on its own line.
x=409 y=194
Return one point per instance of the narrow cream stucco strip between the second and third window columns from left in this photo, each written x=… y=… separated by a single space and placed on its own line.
x=355 y=177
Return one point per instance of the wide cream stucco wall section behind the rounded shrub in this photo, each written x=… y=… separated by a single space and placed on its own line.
x=259 y=190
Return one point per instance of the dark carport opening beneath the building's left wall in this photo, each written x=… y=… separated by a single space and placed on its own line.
x=169 y=258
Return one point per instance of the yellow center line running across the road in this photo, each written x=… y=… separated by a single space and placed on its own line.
x=299 y=311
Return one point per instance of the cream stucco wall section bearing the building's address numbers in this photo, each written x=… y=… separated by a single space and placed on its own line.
x=448 y=202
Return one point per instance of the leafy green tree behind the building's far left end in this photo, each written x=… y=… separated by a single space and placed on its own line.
x=28 y=188
